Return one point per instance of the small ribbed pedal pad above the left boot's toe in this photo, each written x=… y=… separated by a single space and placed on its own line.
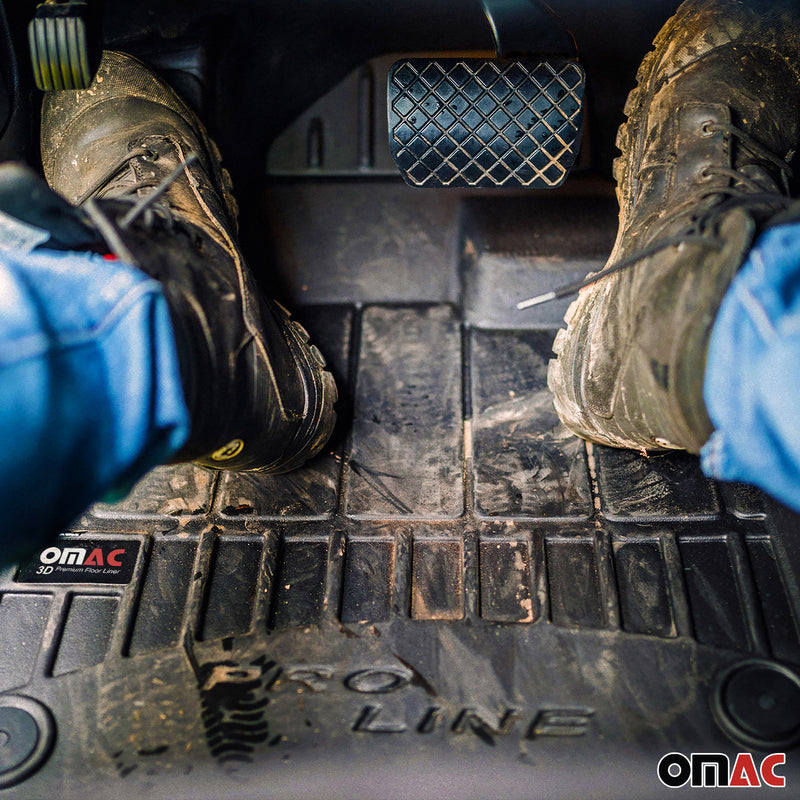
x=59 y=45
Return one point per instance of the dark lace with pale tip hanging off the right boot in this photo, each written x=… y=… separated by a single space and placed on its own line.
x=743 y=192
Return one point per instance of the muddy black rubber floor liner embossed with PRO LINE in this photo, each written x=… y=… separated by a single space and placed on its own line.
x=459 y=599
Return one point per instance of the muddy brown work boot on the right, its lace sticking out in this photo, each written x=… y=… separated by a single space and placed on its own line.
x=711 y=128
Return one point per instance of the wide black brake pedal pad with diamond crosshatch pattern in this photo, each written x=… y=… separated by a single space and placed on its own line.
x=470 y=122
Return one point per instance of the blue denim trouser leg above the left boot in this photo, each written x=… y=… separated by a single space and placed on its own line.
x=90 y=390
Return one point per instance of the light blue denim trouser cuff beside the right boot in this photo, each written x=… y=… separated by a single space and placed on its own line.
x=752 y=378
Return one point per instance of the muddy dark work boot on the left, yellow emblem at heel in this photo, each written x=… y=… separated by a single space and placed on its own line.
x=150 y=180
